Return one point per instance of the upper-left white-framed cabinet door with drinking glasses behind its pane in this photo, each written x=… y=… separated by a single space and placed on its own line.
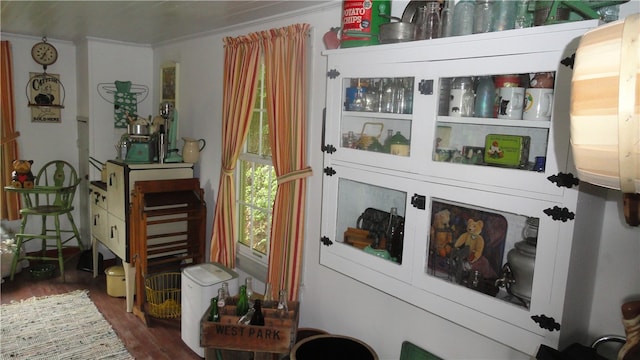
x=370 y=117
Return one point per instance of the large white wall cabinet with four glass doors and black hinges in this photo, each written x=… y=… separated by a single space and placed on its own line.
x=469 y=217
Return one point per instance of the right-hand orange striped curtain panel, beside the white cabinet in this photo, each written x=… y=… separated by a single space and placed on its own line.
x=285 y=52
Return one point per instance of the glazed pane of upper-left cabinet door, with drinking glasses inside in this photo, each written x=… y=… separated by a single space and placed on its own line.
x=377 y=114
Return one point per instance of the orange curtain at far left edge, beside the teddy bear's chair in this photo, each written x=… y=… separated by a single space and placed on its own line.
x=10 y=203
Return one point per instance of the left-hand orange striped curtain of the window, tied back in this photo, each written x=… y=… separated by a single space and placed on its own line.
x=241 y=64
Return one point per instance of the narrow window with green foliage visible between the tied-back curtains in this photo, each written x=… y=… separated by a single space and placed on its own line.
x=256 y=188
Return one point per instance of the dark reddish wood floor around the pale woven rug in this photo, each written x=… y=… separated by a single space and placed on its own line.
x=159 y=341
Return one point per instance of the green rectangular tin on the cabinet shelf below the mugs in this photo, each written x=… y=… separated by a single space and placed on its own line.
x=506 y=150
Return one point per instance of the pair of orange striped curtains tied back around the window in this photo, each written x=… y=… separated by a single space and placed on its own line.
x=285 y=58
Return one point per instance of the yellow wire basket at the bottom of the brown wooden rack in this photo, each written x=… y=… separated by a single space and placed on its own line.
x=163 y=295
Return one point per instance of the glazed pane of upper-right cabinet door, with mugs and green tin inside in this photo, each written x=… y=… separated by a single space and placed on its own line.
x=495 y=119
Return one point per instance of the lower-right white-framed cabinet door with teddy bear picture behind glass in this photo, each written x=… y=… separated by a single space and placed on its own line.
x=487 y=251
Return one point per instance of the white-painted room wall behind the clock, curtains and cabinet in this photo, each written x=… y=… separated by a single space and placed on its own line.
x=330 y=301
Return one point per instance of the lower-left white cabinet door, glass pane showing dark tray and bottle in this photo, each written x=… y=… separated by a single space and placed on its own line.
x=369 y=220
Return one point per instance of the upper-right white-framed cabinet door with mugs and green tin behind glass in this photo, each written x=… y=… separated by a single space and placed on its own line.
x=496 y=121
